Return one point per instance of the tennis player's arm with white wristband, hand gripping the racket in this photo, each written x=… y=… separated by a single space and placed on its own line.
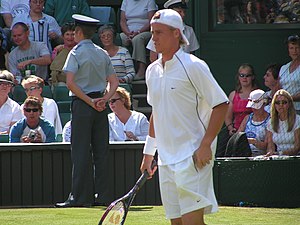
x=149 y=150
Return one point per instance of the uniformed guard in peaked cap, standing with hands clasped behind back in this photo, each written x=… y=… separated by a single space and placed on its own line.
x=92 y=82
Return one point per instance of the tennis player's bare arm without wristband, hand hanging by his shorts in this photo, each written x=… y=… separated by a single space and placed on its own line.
x=203 y=154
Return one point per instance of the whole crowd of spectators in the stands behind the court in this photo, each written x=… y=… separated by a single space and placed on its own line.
x=38 y=36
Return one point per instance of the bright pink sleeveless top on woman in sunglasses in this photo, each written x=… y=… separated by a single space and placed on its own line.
x=239 y=109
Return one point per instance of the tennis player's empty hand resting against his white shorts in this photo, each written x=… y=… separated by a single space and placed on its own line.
x=202 y=156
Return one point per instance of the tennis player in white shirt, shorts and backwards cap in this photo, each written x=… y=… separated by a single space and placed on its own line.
x=188 y=110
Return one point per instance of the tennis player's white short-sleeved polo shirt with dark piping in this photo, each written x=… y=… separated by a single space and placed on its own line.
x=182 y=98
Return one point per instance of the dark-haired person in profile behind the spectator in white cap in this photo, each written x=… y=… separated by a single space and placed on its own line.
x=272 y=82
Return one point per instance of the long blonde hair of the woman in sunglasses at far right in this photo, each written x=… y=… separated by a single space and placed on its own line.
x=291 y=111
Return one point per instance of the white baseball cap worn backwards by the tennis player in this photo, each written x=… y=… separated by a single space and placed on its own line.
x=171 y=18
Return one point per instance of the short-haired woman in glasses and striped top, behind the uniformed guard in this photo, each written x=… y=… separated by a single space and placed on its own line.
x=119 y=56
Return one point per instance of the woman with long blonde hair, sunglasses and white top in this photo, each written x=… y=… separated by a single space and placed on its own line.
x=283 y=133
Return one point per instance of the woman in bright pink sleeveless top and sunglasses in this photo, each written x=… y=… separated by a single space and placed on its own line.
x=237 y=110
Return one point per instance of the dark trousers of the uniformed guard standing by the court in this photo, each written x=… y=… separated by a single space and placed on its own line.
x=89 y=152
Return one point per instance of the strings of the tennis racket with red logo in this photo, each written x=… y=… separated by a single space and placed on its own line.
x=115 y=215
